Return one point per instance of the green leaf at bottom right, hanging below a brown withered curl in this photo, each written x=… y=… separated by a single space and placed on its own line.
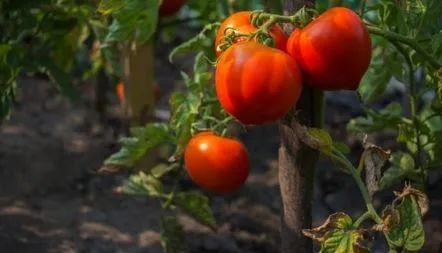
x=409 y=232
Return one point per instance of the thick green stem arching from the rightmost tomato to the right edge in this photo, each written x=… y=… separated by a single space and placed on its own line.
x=405 y=40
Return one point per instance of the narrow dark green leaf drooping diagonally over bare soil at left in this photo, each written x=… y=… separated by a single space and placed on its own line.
x=62 y=80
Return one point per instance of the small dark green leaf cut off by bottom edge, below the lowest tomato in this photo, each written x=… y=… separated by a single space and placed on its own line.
x=172 y=235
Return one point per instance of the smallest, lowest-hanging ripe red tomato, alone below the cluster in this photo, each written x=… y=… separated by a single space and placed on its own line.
x=216 y=163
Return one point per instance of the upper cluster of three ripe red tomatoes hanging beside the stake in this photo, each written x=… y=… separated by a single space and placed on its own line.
x=258 y=84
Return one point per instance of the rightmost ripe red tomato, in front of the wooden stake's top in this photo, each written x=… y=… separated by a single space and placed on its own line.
x=333 y=51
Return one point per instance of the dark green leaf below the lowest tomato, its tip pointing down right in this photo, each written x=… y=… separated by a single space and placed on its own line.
x=197 y=206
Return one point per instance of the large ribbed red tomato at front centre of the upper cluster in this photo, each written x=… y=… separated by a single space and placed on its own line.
x=257 y=84
